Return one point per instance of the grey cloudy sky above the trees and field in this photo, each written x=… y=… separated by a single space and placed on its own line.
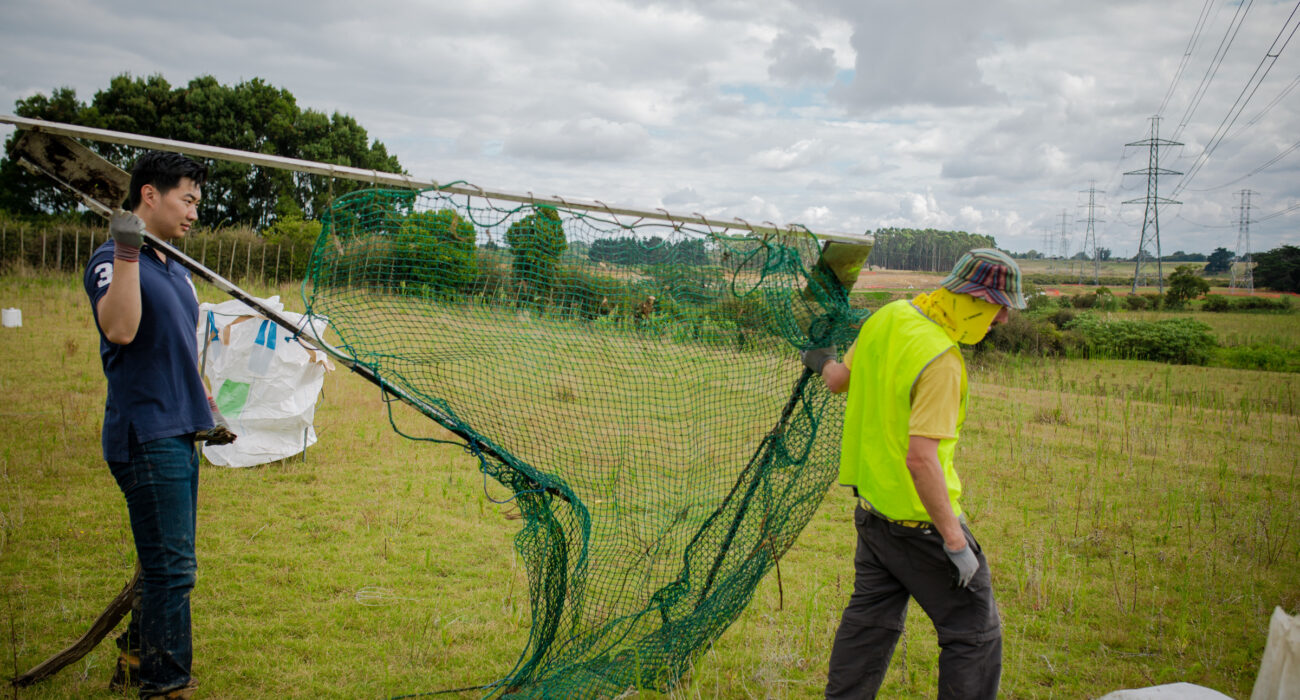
x=993 y=116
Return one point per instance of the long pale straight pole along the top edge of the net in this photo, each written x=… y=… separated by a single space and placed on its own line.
x=396 y=180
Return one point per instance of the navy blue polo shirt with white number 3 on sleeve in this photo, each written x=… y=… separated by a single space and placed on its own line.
x=154 y=384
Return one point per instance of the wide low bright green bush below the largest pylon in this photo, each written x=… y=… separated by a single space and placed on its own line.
x=1178 y=342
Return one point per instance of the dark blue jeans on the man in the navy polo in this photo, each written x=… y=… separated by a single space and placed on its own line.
x=162 y=487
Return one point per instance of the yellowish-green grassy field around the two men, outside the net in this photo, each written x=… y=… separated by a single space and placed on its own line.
x=1142 y=521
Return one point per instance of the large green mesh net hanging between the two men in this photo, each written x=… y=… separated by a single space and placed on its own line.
x=638 y=387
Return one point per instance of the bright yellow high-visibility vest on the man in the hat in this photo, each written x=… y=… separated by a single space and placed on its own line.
x=894 y=348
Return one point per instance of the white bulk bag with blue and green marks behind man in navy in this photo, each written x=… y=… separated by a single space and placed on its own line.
x=266 y=383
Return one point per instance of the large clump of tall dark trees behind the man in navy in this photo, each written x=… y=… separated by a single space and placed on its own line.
x=250 y=116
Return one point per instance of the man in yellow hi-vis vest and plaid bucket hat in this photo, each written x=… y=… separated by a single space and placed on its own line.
x=907 y=405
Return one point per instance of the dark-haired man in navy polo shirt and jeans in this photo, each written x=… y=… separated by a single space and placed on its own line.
x=148 y=313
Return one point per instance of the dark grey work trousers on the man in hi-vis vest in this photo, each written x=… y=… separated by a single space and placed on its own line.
x=892 y=564
